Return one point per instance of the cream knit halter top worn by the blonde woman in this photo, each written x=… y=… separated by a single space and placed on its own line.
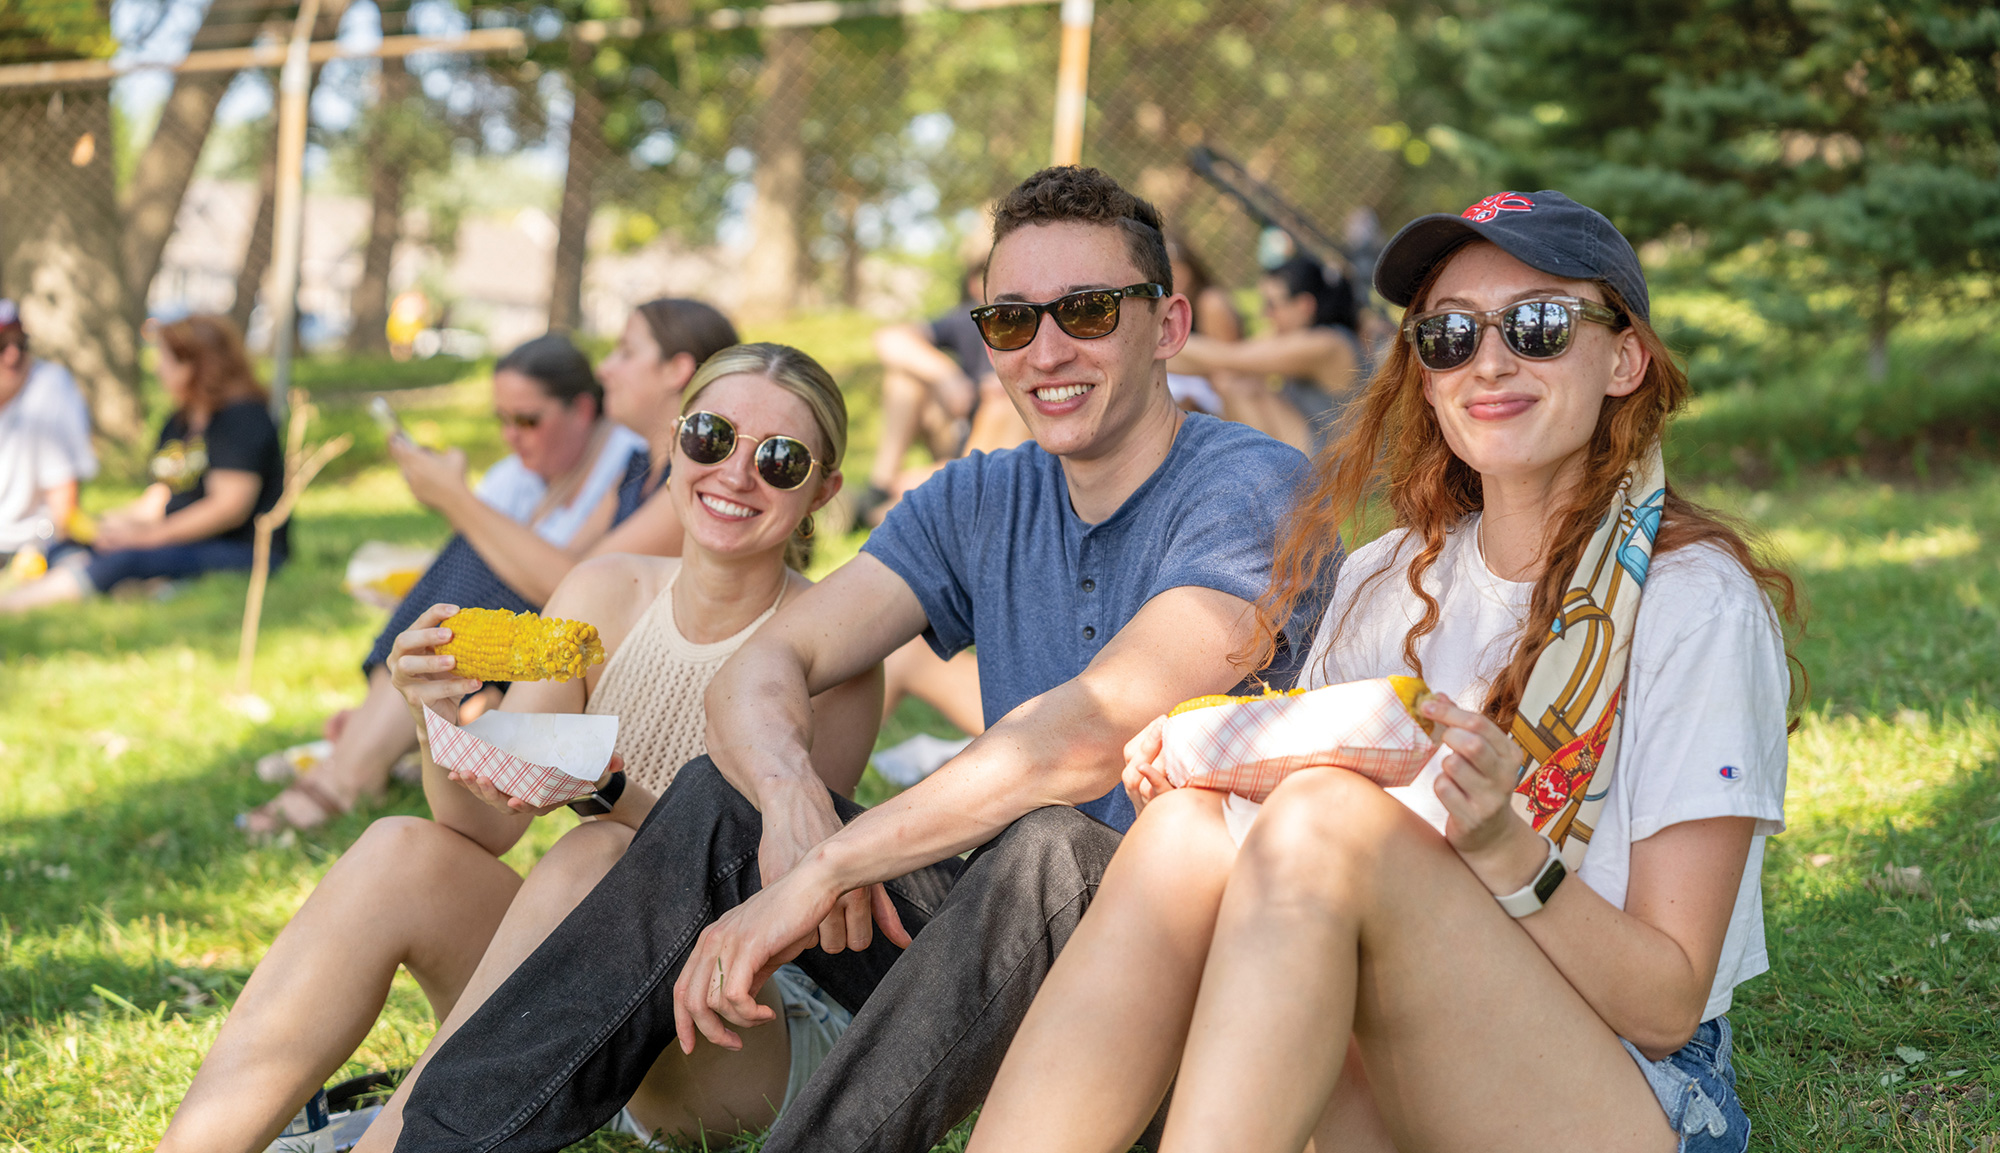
x=655 y=686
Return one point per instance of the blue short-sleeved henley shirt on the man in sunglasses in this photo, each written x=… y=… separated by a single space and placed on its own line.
x=1001 y=561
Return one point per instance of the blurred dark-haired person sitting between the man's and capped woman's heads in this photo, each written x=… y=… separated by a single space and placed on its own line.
x=1295 y=379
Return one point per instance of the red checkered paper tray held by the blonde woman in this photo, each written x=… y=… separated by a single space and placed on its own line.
x=541 y=758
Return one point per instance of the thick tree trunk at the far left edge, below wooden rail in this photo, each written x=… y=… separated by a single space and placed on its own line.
x=59 y=249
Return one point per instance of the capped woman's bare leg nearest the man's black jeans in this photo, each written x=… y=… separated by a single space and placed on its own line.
x=1099 y=1048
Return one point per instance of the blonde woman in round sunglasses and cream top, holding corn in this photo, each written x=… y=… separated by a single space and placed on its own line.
x=757 y=455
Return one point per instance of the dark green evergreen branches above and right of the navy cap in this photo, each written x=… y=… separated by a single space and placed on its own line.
x=1857 y=145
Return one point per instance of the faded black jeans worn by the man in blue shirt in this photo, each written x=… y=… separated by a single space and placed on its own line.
x=567 y=1040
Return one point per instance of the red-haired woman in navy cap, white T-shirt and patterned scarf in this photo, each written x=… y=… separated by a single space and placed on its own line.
x=1535 y=944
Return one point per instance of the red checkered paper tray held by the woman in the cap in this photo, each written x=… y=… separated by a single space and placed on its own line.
x=1247 y=746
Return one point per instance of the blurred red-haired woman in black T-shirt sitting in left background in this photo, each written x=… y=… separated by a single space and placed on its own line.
x=217 y=465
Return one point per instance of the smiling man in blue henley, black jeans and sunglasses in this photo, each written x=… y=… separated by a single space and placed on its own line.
x=1105 y=573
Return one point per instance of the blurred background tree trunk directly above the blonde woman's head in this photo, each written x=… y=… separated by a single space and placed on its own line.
x=777 y=263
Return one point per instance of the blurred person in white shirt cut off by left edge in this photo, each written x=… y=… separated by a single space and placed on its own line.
x=45 y=447
